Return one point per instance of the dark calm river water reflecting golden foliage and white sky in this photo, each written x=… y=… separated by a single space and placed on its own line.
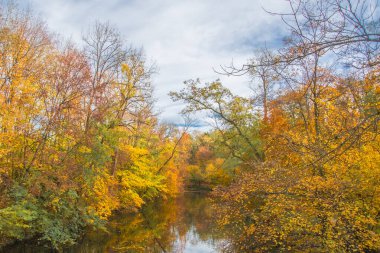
x=183 y=225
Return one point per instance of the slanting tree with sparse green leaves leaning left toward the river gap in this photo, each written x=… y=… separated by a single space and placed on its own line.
x=233 y=116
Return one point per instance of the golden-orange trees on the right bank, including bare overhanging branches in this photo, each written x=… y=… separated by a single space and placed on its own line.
x=314 y=184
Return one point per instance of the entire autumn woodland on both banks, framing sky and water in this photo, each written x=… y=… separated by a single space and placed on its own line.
x=293 y=167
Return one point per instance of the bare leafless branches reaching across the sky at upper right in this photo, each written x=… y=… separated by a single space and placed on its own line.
x=347 y=31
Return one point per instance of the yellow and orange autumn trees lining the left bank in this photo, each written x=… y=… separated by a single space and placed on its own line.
x=78 y=135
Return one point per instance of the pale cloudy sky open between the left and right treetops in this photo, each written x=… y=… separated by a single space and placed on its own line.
x=185 y=38
